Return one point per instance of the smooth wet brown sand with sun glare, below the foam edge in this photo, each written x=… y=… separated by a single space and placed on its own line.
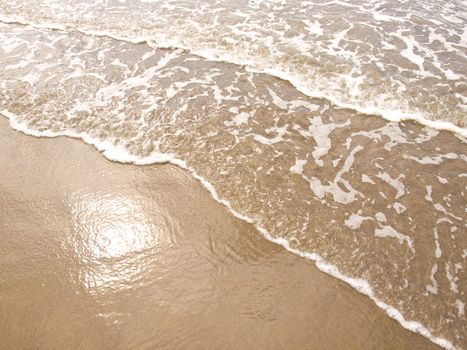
x=102 y=255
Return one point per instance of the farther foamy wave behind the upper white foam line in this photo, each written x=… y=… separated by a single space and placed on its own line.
x=401 y=61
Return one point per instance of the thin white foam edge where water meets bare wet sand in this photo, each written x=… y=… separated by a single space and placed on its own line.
x=119 y=154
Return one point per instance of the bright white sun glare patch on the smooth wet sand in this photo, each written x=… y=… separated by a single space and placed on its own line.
x=114 y=241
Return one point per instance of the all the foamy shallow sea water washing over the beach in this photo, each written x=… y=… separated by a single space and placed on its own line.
x=337 y=127
